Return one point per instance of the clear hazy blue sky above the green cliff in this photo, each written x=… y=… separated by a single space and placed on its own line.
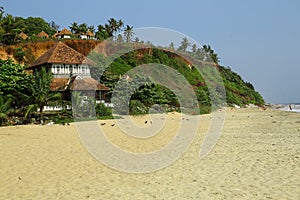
x=260 y=40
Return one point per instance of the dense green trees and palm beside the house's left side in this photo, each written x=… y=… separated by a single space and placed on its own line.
x=22 y=94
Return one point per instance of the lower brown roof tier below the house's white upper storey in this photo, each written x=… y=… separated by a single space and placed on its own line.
x=61 y=84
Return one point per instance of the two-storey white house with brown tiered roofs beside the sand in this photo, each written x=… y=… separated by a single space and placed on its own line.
x=71 y=72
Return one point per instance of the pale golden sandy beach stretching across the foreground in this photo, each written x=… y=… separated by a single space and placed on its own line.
x=256 y=157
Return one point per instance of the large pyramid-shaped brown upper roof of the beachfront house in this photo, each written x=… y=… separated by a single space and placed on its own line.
x=60 y=53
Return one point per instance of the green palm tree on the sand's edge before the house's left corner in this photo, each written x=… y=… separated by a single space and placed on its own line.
x=41 y=93
